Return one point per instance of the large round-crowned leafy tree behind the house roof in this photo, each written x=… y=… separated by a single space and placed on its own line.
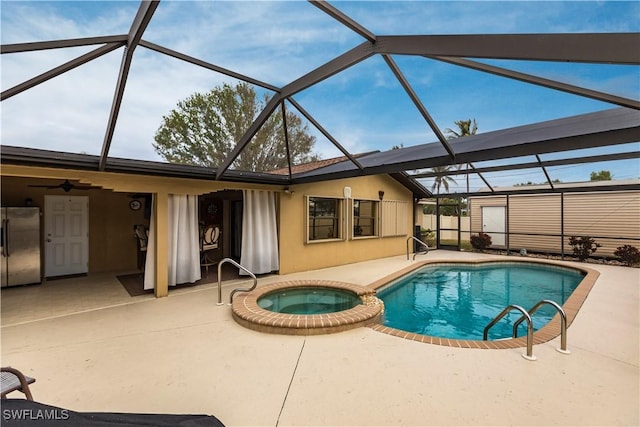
x=203 y=129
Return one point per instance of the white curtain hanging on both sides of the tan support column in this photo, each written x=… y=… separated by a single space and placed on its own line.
x=183 y=242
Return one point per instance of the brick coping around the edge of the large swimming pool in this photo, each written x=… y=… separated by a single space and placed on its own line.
x=548 y=332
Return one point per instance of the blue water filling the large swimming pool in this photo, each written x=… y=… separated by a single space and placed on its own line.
x=459 y=300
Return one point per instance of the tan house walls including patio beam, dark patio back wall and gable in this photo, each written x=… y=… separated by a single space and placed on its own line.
x=112 y=246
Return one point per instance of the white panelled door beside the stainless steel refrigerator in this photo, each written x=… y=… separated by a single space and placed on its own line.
x=66 y=223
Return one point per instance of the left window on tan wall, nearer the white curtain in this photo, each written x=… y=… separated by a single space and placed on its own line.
x=324 y=218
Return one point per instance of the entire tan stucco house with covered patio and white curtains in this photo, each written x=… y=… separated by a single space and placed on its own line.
x=318 y=224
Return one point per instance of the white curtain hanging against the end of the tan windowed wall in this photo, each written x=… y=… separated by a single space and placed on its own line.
x=259 y=232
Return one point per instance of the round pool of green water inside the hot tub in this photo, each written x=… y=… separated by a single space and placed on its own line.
x=309 y=300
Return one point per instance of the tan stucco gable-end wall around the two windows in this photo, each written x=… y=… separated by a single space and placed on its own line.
x=296 y=255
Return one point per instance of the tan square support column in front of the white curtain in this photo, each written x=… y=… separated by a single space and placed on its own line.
x=161 y=217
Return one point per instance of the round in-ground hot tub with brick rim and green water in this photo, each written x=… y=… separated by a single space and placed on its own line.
x=307 y=307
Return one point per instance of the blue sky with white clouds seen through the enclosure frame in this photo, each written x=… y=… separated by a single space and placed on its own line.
x=364 y=107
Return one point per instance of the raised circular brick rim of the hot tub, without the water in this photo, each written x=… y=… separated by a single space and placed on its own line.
x=247 y=312
